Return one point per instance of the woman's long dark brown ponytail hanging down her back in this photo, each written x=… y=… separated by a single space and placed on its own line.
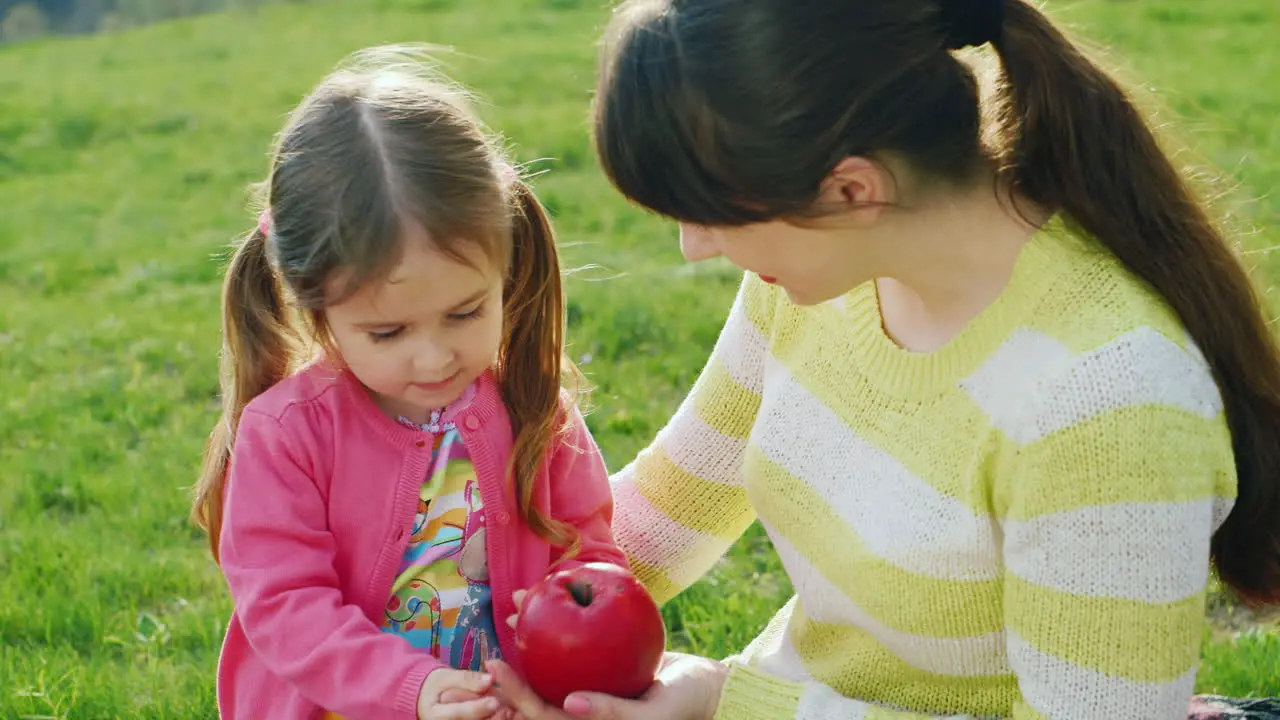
x=1078 y=143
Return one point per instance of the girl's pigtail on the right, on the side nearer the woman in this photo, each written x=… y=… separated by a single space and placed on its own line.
x=532 y=367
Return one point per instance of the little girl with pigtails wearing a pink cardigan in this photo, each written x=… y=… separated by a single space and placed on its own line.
x=385 y=499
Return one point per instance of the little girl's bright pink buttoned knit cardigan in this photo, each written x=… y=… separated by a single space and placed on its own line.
x=322 y=494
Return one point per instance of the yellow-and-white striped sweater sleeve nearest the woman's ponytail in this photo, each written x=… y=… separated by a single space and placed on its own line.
x=1123 y=471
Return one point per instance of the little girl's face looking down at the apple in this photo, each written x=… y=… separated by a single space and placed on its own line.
x=418 y=339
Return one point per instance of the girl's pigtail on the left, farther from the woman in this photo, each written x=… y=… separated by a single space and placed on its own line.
x=258 y=349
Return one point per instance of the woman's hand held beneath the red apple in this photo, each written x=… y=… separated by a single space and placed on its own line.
x=688 y=689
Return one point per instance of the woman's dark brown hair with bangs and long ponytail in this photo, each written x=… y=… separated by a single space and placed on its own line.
x=732 y=112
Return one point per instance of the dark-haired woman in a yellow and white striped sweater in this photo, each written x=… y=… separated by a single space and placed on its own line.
x=995 y=382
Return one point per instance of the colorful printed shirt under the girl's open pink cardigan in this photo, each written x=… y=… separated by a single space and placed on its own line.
x=441 y=600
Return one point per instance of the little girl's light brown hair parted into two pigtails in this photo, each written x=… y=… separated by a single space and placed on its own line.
x=378 y=143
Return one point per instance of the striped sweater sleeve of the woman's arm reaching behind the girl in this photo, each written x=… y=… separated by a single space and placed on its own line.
x=682 y=503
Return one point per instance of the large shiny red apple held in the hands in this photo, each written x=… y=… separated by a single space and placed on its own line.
x=591 y=628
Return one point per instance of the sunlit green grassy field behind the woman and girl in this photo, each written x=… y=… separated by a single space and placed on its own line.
x=124 y=167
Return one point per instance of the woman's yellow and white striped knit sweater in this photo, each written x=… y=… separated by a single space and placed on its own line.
x=1016 y=526
